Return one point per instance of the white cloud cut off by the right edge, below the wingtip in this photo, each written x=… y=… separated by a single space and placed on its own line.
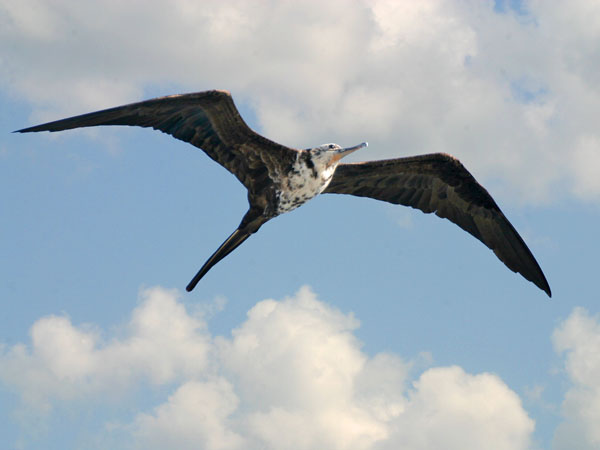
x=578 y=338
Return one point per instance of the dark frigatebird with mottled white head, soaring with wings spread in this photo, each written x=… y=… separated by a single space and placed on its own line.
x=280 y=179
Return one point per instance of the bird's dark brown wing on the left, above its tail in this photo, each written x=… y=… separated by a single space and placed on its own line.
x=208 y=120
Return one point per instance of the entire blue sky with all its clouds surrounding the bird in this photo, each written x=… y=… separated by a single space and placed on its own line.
x=346 y=324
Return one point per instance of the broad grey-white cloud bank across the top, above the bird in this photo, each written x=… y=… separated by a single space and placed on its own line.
x=505 y=91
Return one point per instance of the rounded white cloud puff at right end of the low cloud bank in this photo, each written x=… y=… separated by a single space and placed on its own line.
x=451 y=409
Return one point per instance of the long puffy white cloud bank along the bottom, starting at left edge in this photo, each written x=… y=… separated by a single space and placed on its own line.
x=292 y=376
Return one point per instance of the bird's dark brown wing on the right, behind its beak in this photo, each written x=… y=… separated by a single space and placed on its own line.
x=440 y=183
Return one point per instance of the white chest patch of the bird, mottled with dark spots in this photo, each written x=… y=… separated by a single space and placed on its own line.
x=303 y=183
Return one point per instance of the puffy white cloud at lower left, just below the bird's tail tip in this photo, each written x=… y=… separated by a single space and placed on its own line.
x=66 y=362
